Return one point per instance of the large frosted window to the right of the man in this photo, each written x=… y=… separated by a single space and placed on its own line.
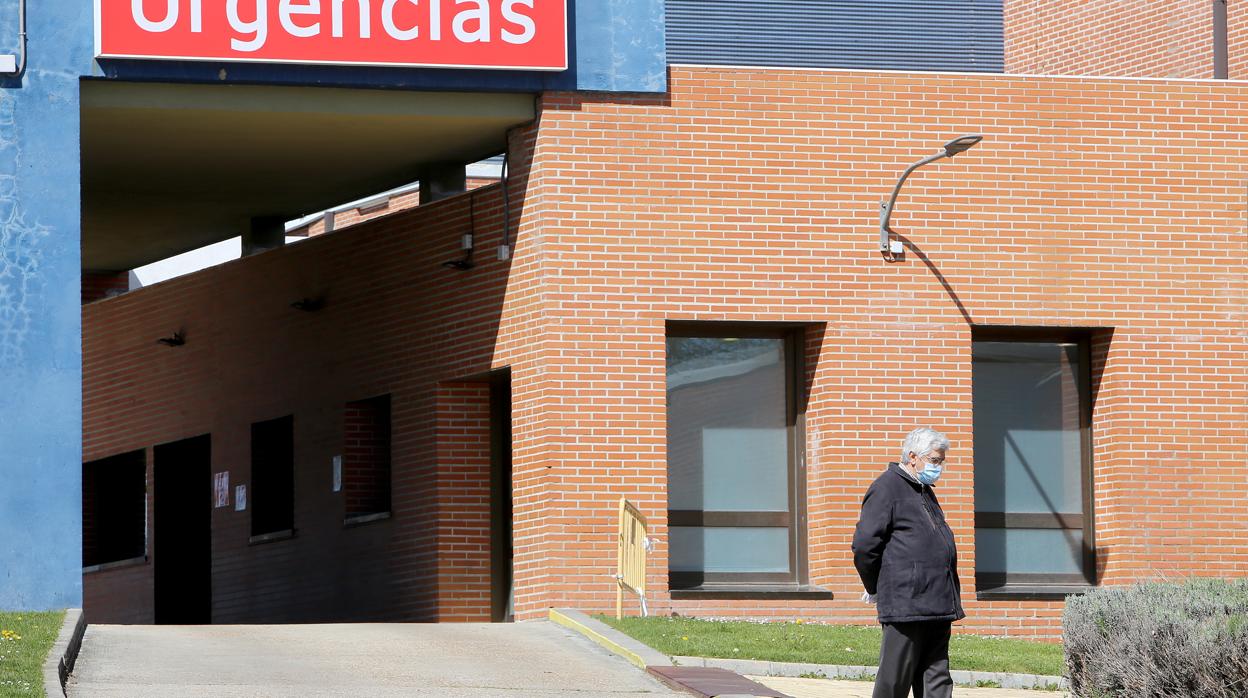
x=1033 y=460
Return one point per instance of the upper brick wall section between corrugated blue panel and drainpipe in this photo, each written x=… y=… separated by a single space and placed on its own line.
x=1136 y=38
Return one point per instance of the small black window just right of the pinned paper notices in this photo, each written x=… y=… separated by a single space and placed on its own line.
x=273 y=476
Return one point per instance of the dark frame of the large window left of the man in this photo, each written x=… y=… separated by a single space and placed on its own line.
x=796 y=425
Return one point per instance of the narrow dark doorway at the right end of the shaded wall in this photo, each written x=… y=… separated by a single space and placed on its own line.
x=501 y=498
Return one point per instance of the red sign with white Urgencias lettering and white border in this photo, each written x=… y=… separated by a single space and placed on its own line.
x=492 y=34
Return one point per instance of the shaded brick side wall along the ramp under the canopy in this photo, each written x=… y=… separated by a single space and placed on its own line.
x=395 y=322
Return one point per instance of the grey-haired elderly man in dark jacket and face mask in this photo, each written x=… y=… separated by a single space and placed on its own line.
x=905 y=555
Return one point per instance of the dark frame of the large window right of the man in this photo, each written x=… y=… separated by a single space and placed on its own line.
x=1004 y=585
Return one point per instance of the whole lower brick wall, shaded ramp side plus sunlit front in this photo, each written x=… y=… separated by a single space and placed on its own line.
x=747 y=195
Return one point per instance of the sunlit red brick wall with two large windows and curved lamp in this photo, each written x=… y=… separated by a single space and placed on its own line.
x=754 y=197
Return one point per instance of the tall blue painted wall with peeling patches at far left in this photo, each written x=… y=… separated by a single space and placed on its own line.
x=41 y=353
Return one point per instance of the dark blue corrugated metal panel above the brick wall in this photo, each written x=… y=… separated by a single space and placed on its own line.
x=950 y=36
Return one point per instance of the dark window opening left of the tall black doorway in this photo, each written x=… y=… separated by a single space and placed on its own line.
x=115 y=509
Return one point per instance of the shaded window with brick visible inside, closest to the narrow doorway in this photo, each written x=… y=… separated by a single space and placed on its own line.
x=366 y=469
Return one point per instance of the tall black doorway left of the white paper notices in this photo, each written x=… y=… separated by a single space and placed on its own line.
x=183 y=531
